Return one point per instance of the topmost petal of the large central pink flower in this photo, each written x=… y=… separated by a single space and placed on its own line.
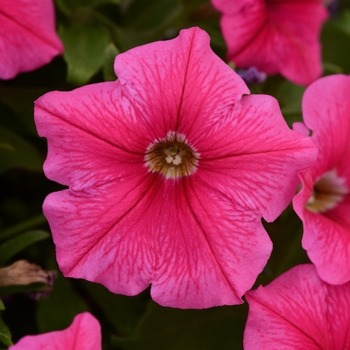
x=187 y=84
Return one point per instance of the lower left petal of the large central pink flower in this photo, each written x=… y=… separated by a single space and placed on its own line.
x=101 y=235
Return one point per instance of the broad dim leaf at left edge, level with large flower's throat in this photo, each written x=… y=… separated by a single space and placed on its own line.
x=16 y=152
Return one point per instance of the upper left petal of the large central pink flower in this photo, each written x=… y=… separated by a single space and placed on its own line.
x=93 y=136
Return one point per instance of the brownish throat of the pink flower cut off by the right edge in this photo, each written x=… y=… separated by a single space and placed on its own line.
x=329 y=190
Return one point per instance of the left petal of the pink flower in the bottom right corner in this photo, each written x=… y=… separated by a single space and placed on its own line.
x=289 y=313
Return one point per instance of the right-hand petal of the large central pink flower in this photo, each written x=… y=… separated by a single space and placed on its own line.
x=255 y=157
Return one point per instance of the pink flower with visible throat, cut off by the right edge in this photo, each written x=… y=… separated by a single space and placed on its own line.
x=323 y=204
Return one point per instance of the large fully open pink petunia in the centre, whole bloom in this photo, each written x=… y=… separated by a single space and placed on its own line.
x=169 y=171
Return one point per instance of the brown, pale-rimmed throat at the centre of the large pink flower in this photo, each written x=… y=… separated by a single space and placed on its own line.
x=172 y=156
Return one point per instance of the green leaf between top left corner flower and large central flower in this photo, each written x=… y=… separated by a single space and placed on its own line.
x=84 y=47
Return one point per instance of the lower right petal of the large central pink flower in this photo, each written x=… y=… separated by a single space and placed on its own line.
x=202 y=258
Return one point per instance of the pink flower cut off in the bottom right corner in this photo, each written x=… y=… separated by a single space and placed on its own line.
x=298 y=311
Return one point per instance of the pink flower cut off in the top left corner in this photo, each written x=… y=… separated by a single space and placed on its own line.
x=28 y=39
